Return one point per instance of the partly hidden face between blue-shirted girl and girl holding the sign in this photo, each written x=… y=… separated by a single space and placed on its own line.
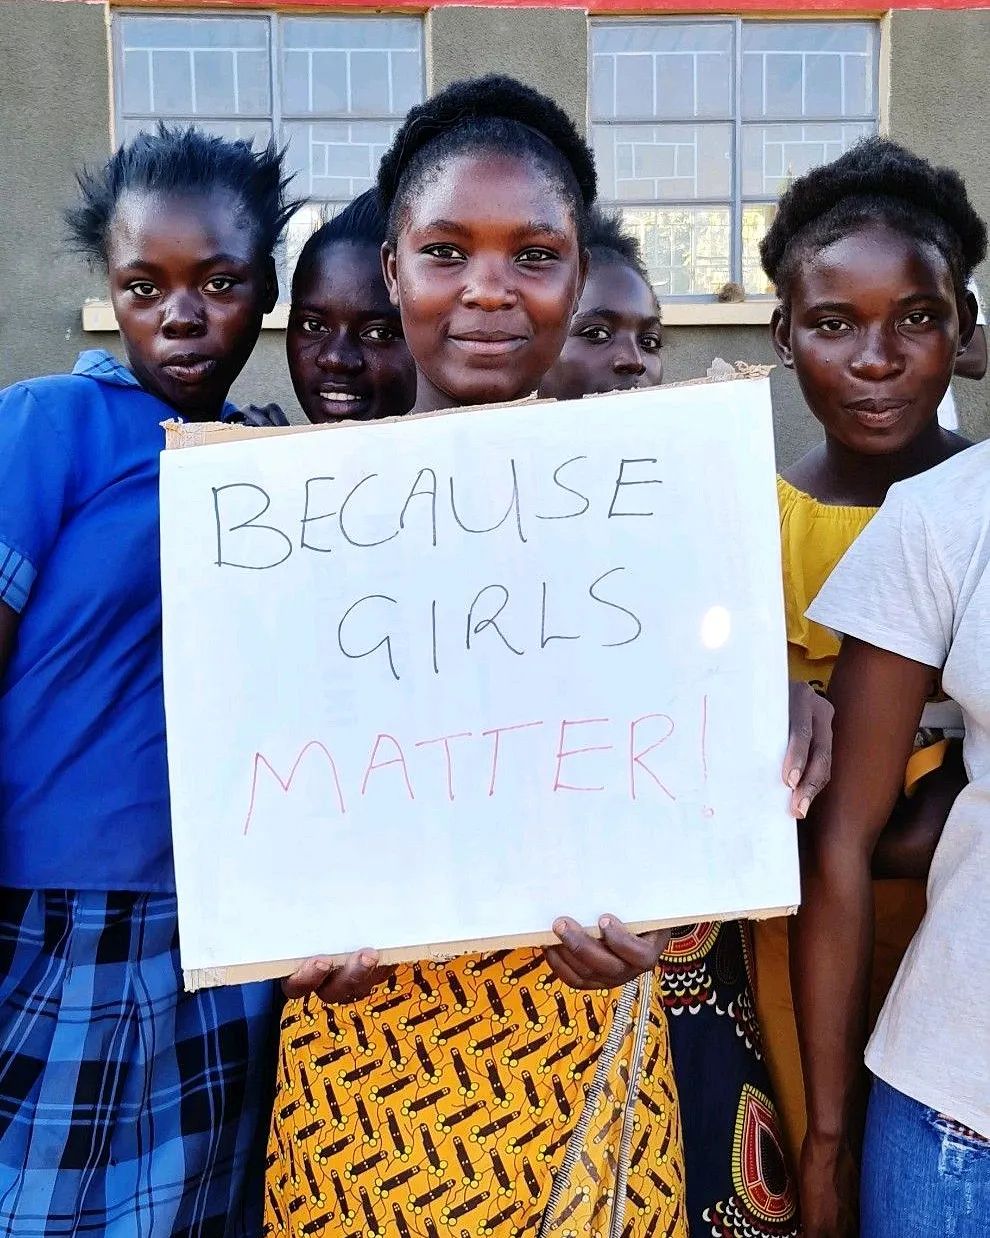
x=347 y=356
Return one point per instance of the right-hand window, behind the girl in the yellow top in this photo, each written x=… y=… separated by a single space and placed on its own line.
x=700 y=126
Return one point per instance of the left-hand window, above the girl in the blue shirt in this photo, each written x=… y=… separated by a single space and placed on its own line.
x=334 y=90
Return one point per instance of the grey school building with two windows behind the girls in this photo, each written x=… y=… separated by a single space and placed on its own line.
x=700 y=113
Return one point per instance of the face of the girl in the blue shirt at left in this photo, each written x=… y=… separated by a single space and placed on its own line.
x=190 y=292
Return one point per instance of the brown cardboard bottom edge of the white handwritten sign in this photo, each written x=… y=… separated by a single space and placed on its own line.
x=249 y=974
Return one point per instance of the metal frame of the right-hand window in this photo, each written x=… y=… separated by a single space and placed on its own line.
x=737 y=201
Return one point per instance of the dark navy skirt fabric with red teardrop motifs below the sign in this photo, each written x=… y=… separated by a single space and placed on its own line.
x=738 y=1182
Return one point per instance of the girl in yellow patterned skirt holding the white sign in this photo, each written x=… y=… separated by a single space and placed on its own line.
x=488 y=1095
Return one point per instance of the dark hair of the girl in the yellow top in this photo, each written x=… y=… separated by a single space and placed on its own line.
x=877 y=181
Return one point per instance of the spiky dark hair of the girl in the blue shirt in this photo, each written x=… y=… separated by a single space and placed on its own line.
x=183 y=162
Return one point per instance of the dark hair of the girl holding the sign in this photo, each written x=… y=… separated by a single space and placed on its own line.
x=492 y=115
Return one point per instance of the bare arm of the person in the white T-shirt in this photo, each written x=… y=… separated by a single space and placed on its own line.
x=879 y=699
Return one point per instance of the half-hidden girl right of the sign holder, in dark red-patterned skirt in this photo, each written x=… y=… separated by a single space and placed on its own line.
x=737 y=1171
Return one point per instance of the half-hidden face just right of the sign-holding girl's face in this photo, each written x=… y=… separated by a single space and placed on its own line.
x=614 y=341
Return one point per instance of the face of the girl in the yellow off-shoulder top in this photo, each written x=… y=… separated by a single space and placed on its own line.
x=873 y=335
